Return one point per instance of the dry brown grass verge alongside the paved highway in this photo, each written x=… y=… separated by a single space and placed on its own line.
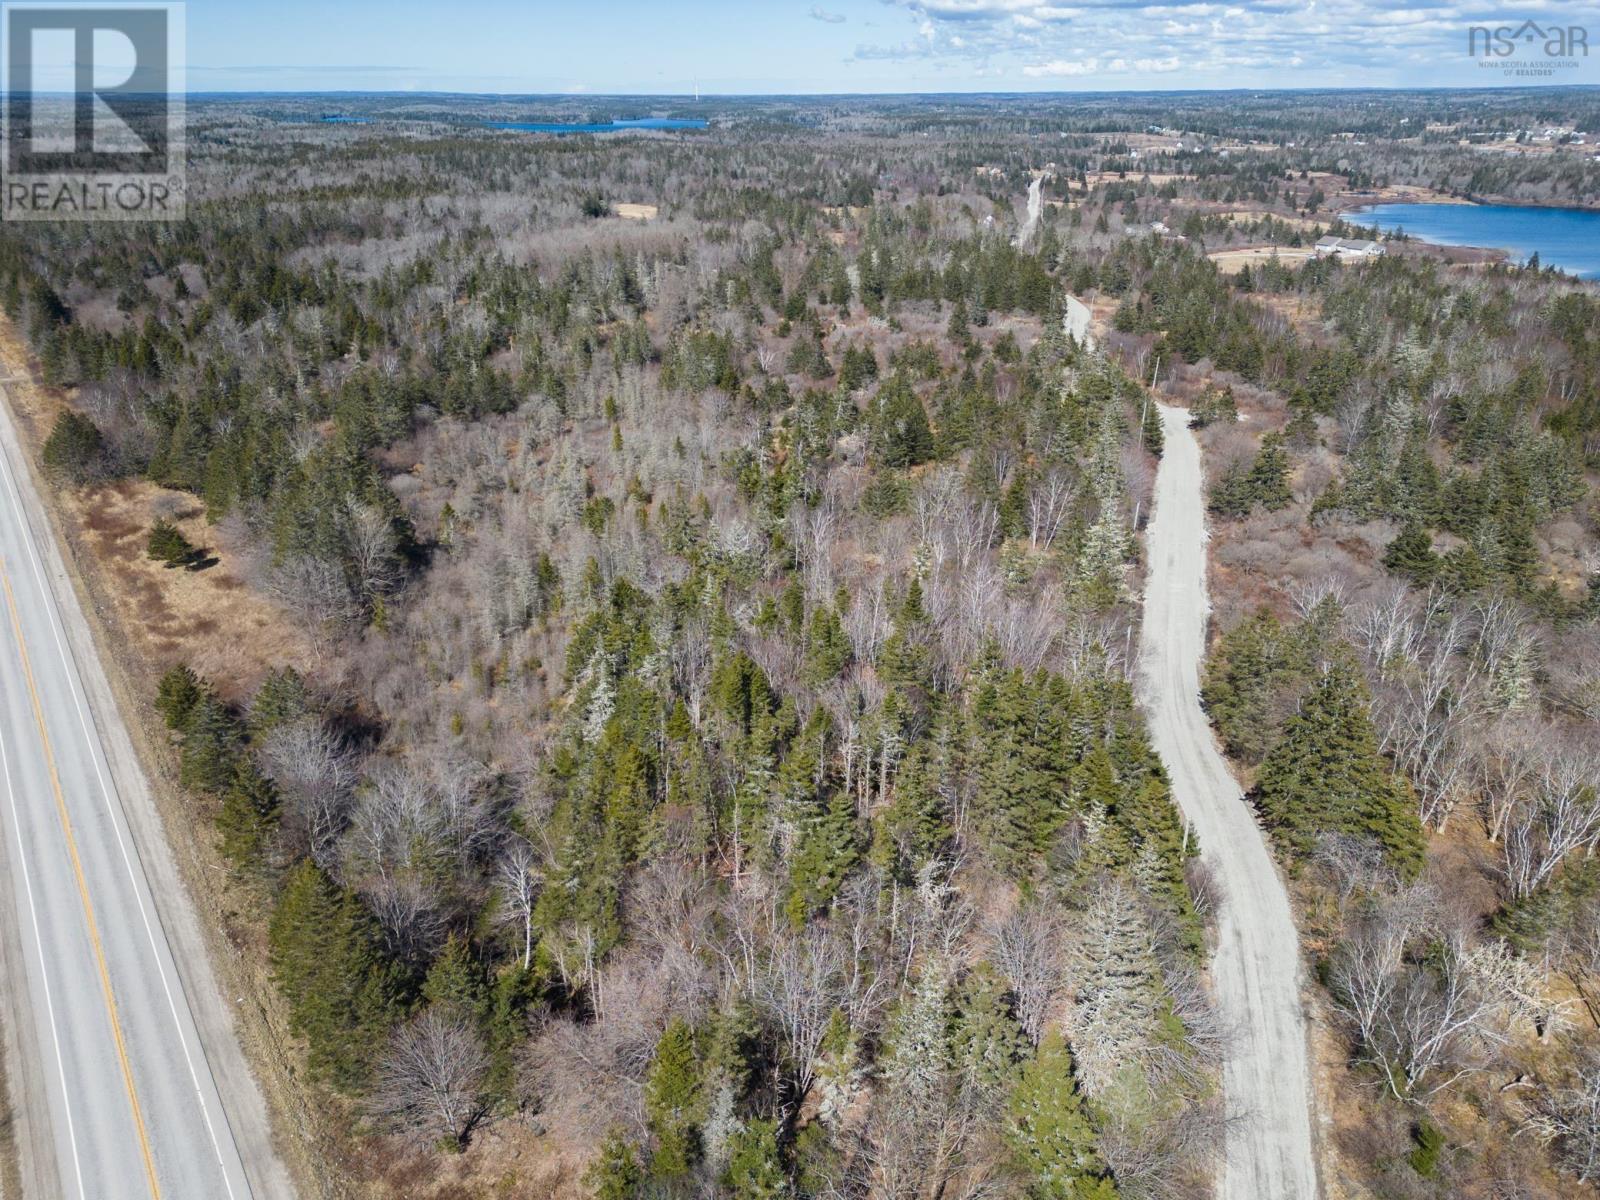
x=233 y=922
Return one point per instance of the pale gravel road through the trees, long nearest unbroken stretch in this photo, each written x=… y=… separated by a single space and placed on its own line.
x=1257 y=969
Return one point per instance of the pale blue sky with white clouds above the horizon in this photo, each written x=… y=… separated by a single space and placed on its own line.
x=850 y=46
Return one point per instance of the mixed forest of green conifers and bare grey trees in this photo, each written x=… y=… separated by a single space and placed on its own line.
x=719 y=770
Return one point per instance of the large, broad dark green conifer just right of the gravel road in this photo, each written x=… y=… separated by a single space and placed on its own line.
x=1326 y=775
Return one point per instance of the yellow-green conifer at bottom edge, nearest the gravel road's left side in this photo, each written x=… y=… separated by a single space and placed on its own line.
x=1050 y=1134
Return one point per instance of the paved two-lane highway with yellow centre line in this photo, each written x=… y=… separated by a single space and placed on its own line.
x=118 y=1058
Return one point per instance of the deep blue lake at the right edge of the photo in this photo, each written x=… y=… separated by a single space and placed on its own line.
x=1562 y=238
